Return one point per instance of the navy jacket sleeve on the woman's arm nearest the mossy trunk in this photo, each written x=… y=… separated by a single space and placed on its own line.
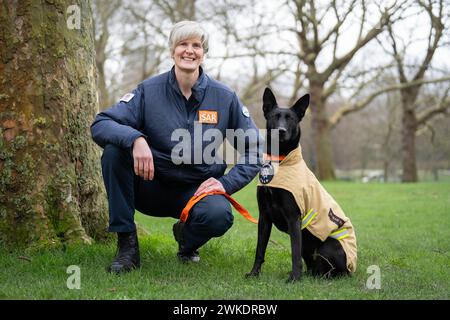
x=121 y=124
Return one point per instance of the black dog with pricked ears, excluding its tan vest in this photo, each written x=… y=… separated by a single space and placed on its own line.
x=278 y=206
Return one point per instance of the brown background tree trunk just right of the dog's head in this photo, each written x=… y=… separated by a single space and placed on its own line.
x=322 y=133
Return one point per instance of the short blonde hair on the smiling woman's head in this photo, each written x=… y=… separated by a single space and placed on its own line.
x=186 y=29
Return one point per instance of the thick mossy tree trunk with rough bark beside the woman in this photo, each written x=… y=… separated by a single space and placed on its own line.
x=51 y=189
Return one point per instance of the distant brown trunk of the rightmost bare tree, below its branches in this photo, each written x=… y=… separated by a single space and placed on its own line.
x=409 y=128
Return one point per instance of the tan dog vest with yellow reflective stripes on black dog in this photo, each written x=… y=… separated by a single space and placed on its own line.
x=320 y=213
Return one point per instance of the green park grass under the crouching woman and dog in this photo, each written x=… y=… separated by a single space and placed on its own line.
x=402 y=228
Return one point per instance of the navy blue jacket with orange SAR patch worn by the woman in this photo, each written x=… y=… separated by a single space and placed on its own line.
x=158 y=108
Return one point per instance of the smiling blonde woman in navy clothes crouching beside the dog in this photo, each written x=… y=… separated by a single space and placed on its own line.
x=141 y=159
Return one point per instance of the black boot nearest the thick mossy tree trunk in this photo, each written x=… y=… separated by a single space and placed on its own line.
x=128 y=257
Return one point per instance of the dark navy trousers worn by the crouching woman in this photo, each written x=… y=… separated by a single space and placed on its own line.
x=210 y=217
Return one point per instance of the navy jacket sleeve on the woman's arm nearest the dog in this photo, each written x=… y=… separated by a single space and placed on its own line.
x=246 y=137
